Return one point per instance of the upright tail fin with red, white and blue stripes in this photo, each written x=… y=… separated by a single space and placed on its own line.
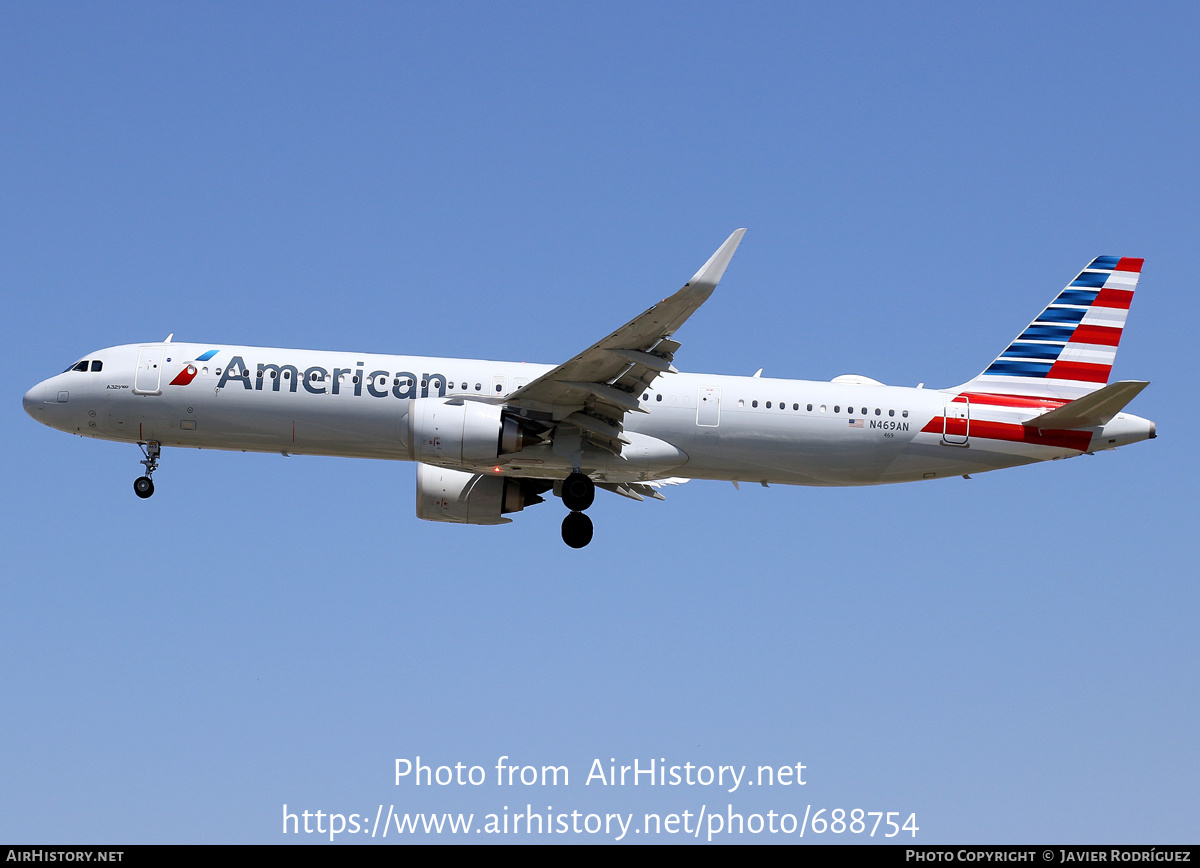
x=1069 y=350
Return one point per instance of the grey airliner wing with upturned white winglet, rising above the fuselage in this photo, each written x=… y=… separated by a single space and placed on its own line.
x=596 y=390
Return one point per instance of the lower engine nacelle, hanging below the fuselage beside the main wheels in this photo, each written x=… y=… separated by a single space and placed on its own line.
x=472 y=499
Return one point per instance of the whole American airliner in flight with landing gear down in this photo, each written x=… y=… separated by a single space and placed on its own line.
x=491 y=438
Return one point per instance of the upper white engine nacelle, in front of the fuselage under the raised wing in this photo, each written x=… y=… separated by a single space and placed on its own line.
x=463 y=432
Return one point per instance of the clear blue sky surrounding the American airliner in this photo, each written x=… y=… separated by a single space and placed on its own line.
x=1015 y=659
